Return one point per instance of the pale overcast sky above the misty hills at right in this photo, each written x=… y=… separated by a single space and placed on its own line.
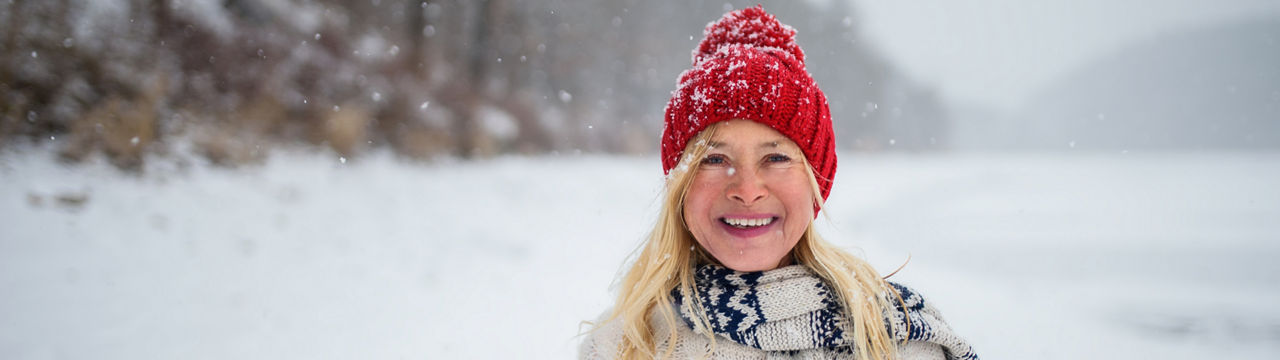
x=999 y=53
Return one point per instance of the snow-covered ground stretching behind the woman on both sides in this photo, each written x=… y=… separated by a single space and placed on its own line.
x=1030 y=257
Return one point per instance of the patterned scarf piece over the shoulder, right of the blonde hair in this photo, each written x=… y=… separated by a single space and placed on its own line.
x=917 y=321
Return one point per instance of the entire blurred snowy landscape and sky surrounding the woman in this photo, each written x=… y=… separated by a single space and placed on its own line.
x=390 y=179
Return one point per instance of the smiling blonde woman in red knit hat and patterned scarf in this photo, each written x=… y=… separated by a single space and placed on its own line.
x=734 y=268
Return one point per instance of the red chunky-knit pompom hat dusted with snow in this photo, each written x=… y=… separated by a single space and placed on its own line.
x=749 y=67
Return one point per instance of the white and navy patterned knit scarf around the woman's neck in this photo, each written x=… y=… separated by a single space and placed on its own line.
x=792 y=309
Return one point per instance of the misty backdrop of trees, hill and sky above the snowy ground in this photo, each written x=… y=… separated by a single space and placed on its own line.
x=232 y=80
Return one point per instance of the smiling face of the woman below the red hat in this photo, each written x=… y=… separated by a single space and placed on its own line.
x=751 y=199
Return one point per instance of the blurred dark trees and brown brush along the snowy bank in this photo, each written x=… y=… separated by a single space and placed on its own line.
x=230 y=79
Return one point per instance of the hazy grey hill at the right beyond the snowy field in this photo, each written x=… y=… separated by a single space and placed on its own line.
x=1215 y=88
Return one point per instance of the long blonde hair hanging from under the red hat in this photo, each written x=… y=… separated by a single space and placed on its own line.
x=666 y=263
